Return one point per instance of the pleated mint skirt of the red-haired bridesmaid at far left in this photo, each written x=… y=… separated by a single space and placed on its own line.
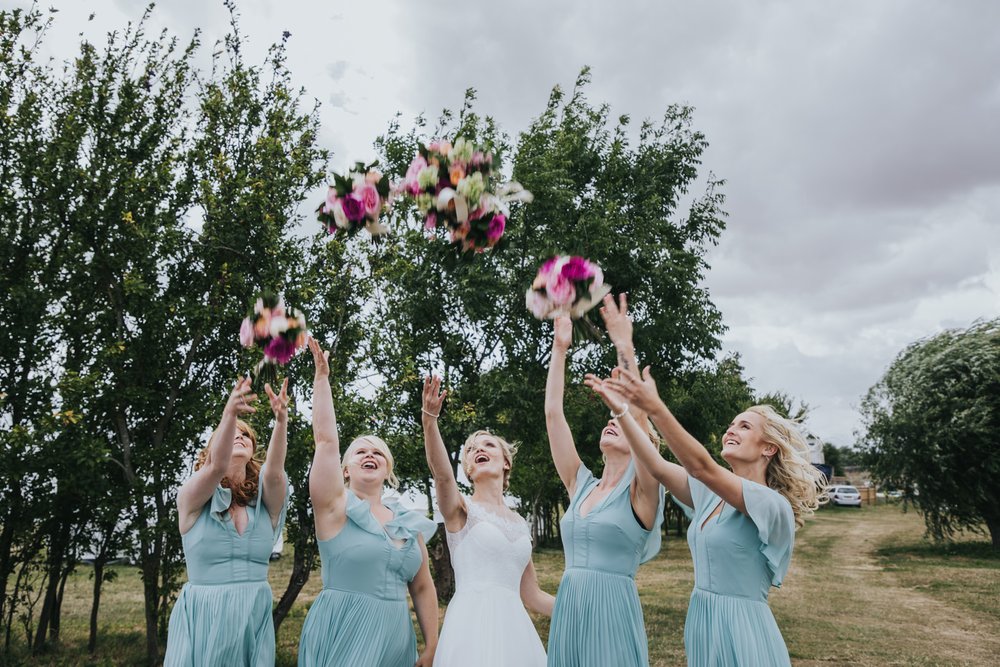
x=223 y=624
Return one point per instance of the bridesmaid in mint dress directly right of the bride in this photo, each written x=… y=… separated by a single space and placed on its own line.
x=611 y=526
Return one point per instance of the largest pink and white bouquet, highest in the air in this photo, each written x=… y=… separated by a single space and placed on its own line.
x=453 y=188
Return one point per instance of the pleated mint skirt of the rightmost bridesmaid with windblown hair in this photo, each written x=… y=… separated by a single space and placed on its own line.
x=728 y=631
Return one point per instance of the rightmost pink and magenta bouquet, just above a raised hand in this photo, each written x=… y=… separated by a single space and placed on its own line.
x=567 y=286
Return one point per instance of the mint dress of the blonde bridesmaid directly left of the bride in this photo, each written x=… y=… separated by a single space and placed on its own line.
x=361 y=617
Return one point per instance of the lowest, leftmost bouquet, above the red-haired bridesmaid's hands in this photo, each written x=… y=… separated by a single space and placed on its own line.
x=278 y=331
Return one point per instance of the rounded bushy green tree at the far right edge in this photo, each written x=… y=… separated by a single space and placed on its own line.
x=930 y=427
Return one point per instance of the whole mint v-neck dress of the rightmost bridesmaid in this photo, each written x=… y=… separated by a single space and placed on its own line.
x=737 y=558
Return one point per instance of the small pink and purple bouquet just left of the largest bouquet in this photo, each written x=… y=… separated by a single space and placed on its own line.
x=356 y=201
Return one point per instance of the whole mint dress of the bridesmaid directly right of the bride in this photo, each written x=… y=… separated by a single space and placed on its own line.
x=597 y=619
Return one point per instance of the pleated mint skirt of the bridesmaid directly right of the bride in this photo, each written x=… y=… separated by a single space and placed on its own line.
x=597 y=621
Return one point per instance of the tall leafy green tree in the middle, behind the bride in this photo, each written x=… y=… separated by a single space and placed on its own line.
x=597 y=195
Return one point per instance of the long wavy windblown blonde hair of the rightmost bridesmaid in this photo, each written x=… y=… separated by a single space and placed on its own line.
x=789 y=472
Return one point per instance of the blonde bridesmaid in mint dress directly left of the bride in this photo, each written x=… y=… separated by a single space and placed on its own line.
x=372 y=550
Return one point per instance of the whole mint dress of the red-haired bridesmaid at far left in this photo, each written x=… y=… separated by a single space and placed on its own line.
x=223 y=614
